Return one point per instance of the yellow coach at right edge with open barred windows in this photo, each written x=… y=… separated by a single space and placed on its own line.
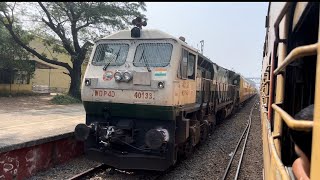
x=290 y=96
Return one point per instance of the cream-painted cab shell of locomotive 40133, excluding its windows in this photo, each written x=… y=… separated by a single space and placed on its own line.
x=143 y=88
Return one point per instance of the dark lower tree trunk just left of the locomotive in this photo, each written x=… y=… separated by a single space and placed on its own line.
x=75 y=76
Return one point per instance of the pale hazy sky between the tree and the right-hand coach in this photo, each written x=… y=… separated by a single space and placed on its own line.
x=233 y=33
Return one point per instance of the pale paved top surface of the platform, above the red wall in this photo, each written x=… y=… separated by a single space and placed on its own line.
x=22 y=126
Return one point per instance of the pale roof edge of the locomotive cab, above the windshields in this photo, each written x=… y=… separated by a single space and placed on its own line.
x=147 y=34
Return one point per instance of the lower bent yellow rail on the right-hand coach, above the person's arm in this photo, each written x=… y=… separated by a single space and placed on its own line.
x=292 y=123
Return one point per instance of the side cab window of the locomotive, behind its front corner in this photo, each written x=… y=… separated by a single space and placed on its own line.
x=187 y=65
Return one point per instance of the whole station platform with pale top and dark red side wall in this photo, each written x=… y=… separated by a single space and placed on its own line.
x=35 y=138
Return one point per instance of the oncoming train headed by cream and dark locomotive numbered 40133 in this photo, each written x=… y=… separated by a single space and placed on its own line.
x=150 y=97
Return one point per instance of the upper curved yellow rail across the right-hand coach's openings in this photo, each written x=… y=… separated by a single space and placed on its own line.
x=296 y=53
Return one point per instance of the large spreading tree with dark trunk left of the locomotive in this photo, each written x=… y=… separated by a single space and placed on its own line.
x=73 y=23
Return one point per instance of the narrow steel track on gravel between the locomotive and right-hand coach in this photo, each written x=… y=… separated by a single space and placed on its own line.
x=245 y=132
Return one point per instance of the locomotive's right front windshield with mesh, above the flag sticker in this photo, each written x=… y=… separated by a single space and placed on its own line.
x=153 y=55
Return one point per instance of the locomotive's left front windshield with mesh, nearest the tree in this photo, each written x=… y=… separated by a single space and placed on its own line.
x=112 y=54
